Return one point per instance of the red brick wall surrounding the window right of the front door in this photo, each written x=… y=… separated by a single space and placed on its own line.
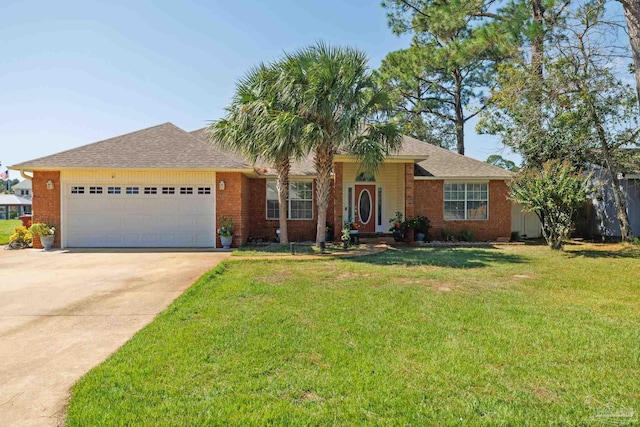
x=429 y=201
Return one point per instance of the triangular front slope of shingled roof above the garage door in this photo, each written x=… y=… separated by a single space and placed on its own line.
x=162 y=146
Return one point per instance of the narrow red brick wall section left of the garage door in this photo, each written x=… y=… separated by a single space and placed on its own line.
x=46 y=203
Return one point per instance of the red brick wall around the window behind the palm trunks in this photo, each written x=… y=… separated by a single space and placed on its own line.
x=260 y=227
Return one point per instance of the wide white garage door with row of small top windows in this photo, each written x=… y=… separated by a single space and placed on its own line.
x=139 y=216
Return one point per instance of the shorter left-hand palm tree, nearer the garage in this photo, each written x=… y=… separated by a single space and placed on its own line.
x=259 y=125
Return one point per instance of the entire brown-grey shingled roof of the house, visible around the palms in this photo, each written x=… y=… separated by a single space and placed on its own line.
x=168 y=146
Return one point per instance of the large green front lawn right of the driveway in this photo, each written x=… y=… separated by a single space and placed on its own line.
x=420 y=336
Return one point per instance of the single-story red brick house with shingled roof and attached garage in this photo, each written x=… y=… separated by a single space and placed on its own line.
x=165 y=187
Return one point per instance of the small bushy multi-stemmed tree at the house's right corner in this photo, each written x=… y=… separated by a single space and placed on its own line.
x=553 y=192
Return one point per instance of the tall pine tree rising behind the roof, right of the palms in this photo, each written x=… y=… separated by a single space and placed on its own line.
x=438 y=83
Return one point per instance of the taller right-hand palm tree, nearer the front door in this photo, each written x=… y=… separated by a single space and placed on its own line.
x=342 y=109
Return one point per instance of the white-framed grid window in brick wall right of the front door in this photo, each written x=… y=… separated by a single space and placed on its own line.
x=466 y=200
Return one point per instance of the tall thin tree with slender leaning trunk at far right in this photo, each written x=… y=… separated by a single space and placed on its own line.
x=595 y=93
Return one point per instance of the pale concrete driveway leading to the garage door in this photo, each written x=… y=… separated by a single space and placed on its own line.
x=64 y=312
